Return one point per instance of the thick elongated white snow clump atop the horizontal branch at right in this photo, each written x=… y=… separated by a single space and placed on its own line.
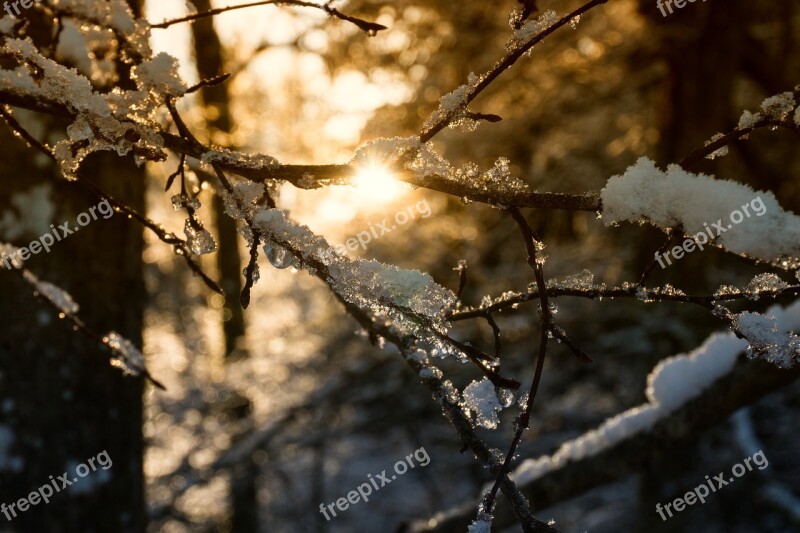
x=696 y=202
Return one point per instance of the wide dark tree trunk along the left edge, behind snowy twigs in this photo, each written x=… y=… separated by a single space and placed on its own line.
x=62 y=403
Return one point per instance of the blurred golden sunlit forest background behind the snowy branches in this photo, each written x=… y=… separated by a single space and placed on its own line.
x=271 y=411
